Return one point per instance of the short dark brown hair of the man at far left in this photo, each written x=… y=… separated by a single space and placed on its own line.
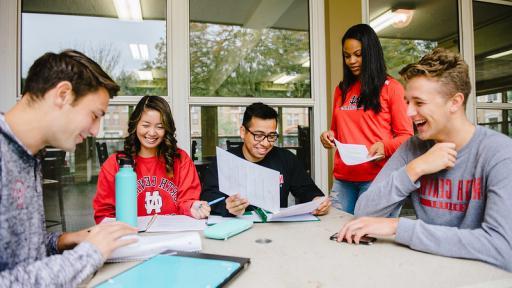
x=82 y=72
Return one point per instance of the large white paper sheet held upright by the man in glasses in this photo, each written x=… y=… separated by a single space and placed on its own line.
x=259 y=185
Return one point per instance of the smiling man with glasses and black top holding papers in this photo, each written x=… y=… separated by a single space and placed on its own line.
x=258 y=132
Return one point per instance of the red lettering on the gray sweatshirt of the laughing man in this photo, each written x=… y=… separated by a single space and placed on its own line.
x=446 y=194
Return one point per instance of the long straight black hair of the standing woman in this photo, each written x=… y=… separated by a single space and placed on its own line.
x=373 y=73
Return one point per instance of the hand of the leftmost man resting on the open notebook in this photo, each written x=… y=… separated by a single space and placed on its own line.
x=106 y=236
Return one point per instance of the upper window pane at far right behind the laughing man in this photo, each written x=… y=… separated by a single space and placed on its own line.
x=493 y=65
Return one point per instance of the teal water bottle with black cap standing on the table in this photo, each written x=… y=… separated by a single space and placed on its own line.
x=126 y=192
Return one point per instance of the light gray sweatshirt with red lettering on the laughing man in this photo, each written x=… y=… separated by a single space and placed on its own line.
x=461 y=212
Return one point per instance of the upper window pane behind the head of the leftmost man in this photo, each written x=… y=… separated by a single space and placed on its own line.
x=133 y=52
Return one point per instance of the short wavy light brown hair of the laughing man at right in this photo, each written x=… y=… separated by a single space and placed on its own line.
x=447 y=67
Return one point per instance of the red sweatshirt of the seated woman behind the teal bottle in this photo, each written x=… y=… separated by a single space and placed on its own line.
x=156 y=192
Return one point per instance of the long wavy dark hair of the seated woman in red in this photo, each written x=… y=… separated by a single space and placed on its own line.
x=168 y=148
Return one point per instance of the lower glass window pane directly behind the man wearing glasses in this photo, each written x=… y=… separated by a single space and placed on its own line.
x=216 y=125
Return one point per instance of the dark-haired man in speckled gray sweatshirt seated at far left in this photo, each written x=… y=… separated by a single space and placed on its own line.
x=64 y=97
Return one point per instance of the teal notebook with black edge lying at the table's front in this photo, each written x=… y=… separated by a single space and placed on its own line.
x=177 y=271
